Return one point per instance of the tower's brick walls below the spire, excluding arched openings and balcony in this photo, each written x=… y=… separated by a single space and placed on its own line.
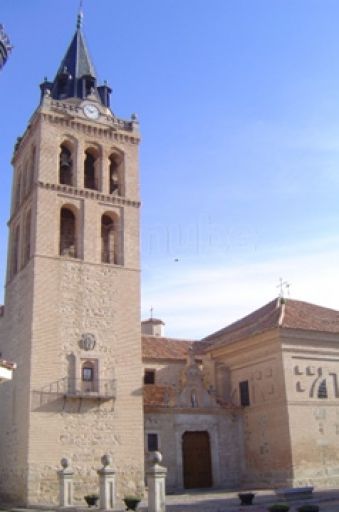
x=52 y=302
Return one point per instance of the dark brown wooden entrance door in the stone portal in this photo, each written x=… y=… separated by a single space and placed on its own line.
x=196 y=452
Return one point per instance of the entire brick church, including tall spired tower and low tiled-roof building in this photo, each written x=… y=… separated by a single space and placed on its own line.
x=255 y=404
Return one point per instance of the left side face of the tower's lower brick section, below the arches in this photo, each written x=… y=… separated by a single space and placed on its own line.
x=14 y=395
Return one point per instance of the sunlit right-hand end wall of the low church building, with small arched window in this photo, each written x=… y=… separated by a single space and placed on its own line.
x=314 y=419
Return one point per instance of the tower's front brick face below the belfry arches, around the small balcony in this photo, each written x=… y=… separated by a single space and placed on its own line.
x=96 y=299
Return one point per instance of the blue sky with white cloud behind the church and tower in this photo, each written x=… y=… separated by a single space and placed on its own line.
x=238 y=102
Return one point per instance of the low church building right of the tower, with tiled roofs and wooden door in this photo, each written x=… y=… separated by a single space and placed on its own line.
x=253 y=405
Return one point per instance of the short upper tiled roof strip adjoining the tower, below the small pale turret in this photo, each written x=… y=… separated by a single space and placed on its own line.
x=156 y=347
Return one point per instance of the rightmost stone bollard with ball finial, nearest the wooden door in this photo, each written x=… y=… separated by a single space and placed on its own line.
x=156 y=478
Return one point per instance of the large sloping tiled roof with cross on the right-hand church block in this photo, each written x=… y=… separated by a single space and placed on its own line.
x=289 y=314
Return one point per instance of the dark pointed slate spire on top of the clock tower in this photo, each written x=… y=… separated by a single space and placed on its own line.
x=76 y=76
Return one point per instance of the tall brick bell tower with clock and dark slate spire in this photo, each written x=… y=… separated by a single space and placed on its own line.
x=71 y=319
